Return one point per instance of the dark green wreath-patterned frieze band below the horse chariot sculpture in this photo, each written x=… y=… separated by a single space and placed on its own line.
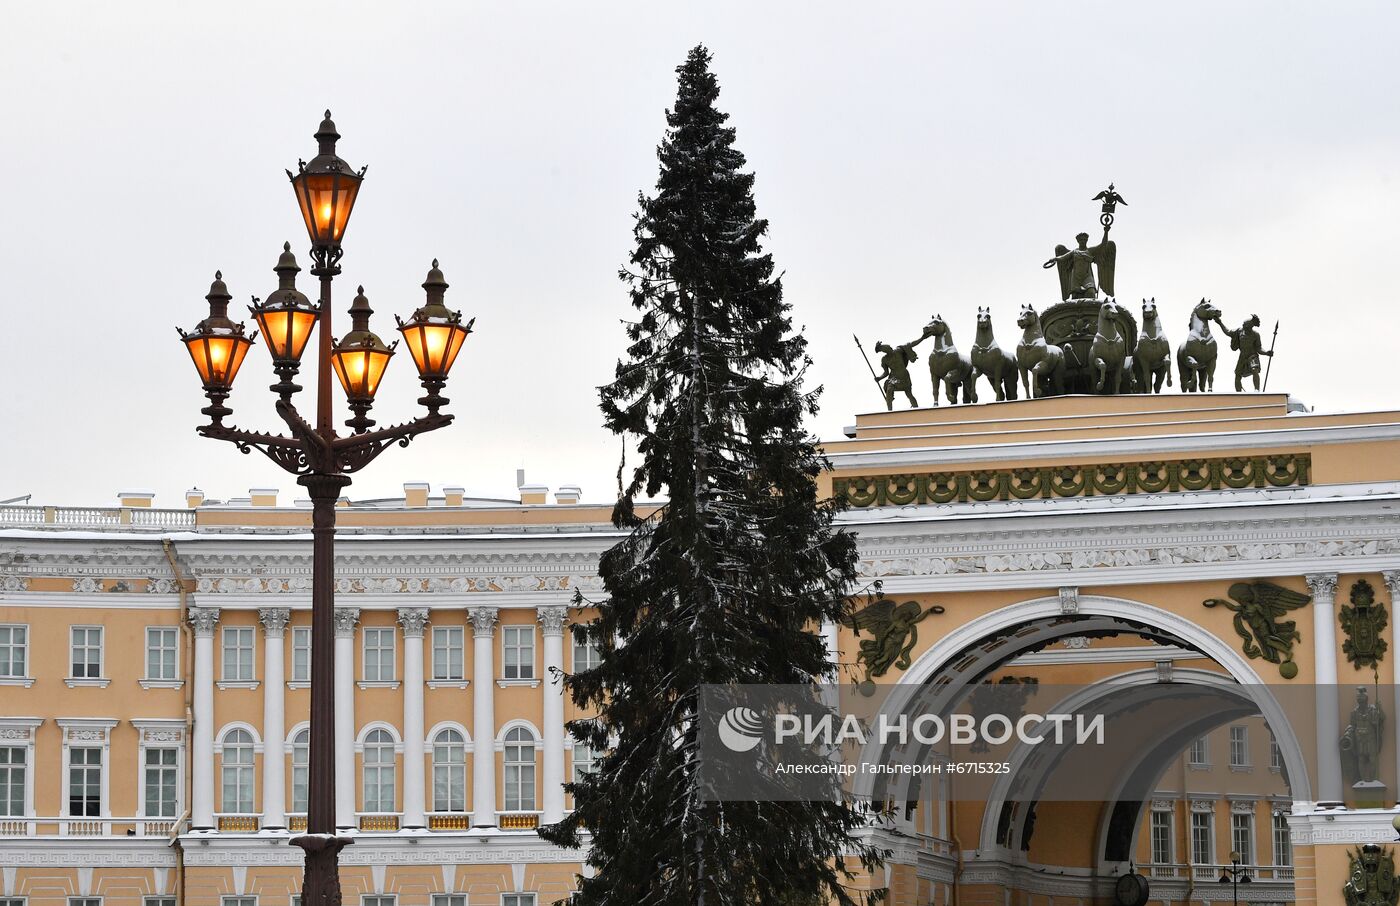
x=1077 y=481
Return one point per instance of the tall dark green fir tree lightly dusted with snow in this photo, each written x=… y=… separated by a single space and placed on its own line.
x=729 y=580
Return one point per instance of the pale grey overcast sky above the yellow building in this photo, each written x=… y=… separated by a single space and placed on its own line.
x=911 y=158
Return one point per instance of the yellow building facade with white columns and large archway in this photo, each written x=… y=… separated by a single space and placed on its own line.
x=155 y=666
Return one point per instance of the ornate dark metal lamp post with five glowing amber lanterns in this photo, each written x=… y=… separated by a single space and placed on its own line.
x=323 y=461
